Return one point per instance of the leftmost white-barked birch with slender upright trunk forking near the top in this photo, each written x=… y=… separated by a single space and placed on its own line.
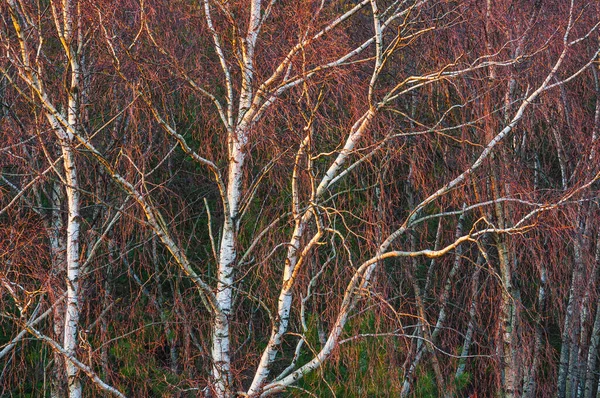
x=70 y=37
